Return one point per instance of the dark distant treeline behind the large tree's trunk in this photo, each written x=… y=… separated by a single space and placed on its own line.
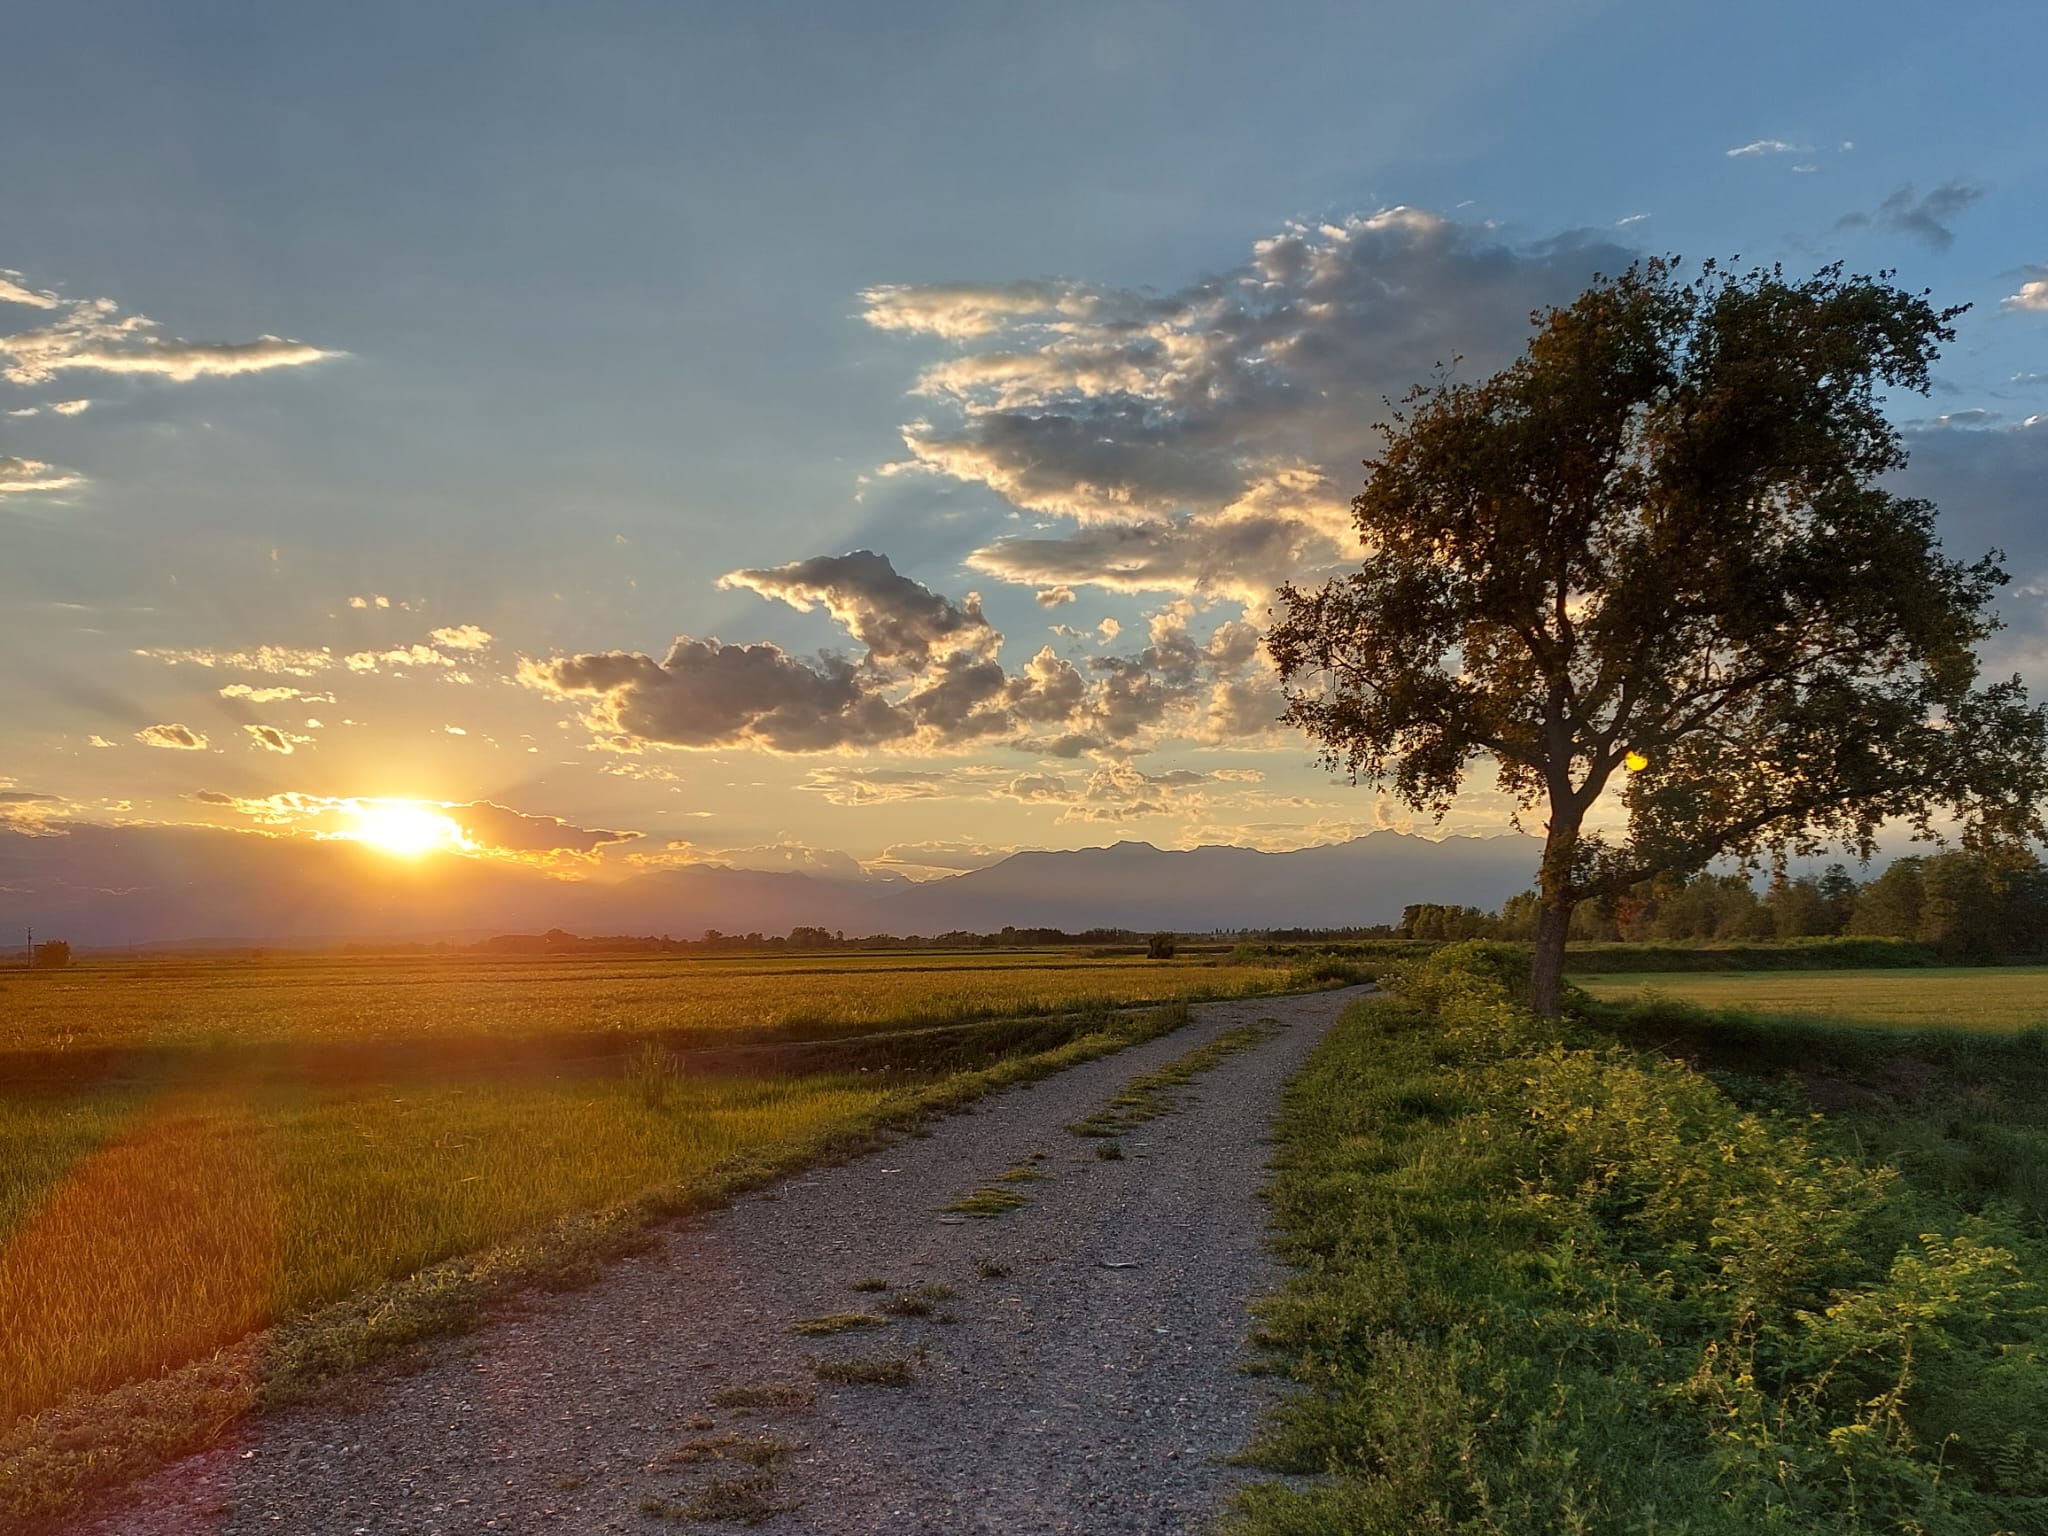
x=1957 y=906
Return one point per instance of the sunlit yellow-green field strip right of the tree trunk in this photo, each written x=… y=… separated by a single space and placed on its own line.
x=1936 y=998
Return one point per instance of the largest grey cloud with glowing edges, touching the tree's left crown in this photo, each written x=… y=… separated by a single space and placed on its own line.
x=1197 y=437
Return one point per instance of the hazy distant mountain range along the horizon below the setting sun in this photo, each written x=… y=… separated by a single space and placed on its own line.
x=153 y=886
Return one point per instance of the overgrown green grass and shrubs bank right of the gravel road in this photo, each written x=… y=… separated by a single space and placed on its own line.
x=1584 y=1287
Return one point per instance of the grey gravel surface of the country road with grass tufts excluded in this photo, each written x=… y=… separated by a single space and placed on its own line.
x=1093 y=1390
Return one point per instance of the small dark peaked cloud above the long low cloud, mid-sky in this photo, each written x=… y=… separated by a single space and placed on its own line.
x=900 y=622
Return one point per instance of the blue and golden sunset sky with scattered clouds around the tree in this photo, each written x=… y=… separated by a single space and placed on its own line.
x=859 y=441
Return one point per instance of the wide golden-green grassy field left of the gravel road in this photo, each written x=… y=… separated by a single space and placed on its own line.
x=194 y=1150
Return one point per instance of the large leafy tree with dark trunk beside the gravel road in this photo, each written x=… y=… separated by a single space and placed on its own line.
x=1658 y=556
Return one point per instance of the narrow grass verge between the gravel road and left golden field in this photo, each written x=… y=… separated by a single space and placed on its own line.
x=54 y=1459
